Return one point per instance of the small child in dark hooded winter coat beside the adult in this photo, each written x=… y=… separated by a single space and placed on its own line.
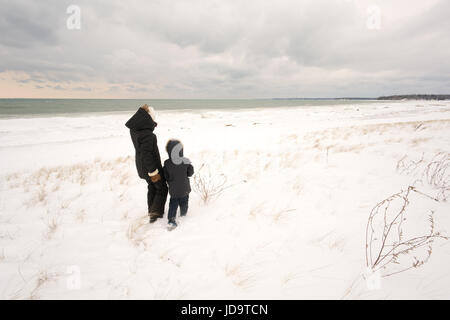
x=177 y=170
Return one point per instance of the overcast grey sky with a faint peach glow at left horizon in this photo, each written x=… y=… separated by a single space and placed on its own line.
x=224 y=49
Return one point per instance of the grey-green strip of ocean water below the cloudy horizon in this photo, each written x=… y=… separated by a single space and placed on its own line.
x=13 y=108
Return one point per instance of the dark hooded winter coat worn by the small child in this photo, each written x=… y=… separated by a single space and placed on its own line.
x=177 y=175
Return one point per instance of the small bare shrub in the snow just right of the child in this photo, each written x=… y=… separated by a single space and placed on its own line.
x=207 y=185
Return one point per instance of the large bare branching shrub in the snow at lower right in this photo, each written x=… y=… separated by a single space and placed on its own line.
x=387 y=247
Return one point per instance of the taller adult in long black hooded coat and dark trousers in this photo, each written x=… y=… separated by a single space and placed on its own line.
x=148 y=160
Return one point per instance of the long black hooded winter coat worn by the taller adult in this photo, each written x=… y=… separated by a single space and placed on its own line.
x=141 y=127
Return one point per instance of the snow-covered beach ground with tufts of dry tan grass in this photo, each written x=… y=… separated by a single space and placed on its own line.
x=290 y=224
